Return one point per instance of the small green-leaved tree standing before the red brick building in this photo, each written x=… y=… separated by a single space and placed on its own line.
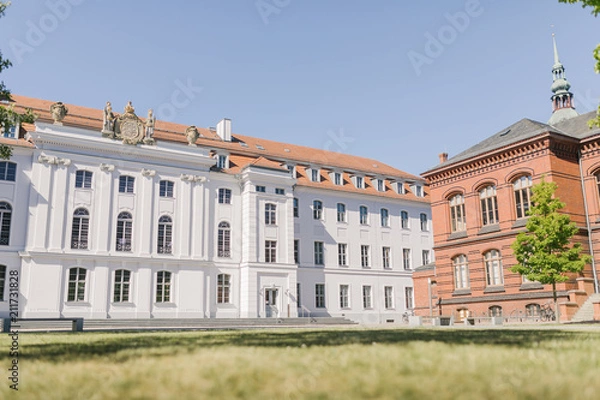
x=545 y=253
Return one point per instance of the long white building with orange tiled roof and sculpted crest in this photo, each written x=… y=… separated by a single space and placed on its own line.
x=118 y=225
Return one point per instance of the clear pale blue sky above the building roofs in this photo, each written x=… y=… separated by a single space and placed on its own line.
x=328 y=74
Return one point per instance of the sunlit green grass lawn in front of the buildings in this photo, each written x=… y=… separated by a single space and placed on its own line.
x=316 y=364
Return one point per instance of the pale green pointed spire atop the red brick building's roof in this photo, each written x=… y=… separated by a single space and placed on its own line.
x=562 y=98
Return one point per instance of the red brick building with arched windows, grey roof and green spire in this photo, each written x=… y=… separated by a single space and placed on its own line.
x=479 y=200
